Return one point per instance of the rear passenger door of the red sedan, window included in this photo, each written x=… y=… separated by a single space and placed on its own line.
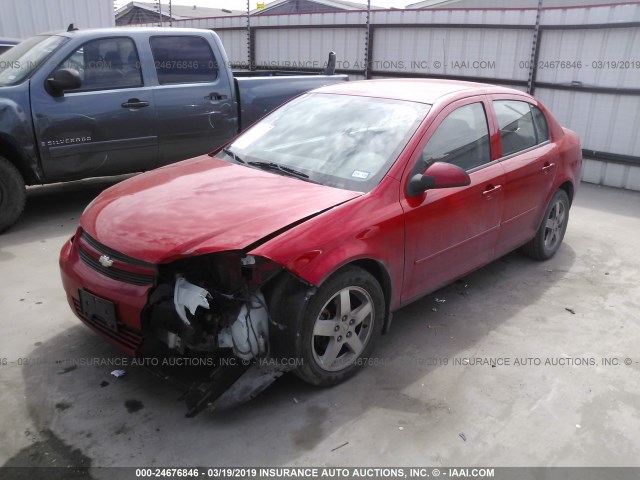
x=527 y=156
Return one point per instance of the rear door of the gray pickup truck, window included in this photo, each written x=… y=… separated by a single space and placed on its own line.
x=193 y=98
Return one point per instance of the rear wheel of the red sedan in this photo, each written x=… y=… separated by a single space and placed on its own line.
x=551 y=232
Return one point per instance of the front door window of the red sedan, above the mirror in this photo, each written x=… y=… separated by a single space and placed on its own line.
x=461 y=139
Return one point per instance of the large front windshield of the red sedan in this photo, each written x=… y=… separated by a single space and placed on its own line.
x=342 y=141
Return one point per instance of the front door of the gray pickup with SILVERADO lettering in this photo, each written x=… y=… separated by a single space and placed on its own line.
x=106 y=126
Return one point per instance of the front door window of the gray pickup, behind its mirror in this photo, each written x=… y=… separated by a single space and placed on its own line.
x=106 y=63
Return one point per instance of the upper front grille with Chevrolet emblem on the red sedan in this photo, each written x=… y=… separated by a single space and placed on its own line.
x=115 y=272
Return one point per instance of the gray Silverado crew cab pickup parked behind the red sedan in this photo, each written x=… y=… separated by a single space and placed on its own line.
x=92 y=103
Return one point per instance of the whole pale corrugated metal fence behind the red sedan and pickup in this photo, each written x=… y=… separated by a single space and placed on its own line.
x=601 y=102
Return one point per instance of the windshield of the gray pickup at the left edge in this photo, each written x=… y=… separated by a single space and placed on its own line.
x=21 y=61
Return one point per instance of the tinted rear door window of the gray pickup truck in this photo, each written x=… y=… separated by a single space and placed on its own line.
x=183 y=60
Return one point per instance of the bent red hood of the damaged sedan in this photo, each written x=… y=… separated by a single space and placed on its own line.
x=201 y=205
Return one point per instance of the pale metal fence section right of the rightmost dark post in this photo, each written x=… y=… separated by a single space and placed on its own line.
x=606 y=112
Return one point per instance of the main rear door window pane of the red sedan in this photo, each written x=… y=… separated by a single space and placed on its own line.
x=516 y=125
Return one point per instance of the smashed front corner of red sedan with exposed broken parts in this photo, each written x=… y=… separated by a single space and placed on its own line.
x=214 y=314
